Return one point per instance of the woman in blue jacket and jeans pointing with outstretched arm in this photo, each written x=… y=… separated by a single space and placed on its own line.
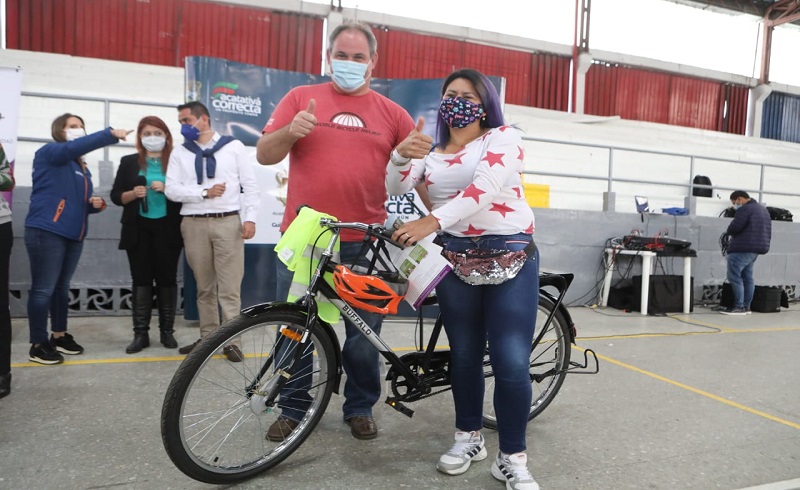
x=61 y=201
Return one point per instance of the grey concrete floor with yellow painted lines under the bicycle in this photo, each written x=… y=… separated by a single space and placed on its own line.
x=695 y=401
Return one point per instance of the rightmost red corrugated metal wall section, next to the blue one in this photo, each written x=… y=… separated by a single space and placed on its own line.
x=646 y=95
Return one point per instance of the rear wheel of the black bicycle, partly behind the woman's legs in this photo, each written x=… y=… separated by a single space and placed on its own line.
x=552 y=354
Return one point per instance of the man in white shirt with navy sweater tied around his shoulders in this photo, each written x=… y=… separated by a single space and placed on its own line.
x=212 y=176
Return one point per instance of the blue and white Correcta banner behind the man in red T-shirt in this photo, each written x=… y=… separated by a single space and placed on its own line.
x=241 y=97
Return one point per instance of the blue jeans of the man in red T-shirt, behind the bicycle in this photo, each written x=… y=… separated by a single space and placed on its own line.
x=362 y=389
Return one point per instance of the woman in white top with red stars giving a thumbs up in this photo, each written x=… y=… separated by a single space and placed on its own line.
x=473 y=177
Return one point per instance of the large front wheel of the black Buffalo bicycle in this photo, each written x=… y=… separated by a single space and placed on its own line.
x=213 y=428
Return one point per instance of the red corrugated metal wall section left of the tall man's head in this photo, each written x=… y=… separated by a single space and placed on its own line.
x=164 y=32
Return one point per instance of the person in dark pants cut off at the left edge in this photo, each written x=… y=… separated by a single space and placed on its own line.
x=6 y=241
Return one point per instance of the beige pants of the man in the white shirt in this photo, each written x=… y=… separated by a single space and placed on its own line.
x=214 y=249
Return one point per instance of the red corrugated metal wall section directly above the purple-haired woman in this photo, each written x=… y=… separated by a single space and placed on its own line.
x=532 y=79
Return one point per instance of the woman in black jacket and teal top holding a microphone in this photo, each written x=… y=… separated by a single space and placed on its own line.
x=151 y=232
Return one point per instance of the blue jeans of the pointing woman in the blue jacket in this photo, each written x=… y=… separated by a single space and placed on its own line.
x=53 y=261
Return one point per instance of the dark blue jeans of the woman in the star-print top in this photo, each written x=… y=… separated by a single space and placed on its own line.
x=505 y=315
